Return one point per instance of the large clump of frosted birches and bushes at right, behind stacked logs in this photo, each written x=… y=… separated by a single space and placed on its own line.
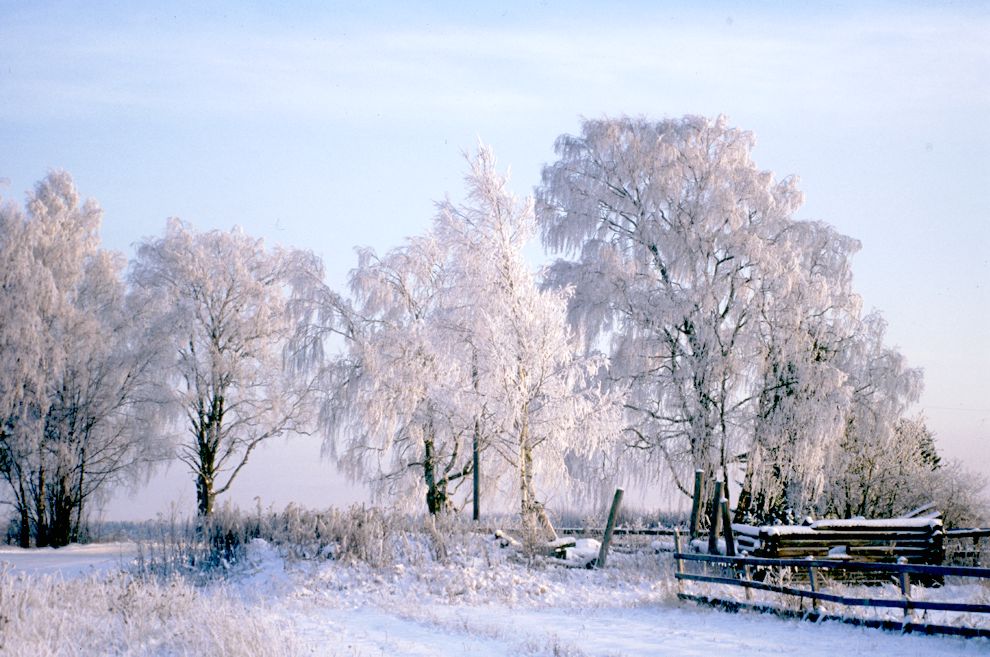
x=735 y=338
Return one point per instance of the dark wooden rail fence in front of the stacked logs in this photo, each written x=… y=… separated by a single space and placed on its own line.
x=746 y=572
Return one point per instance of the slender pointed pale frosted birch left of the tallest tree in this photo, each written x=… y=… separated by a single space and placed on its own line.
x=541 y=403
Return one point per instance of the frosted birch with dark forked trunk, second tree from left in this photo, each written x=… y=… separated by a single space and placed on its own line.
x=222 y=303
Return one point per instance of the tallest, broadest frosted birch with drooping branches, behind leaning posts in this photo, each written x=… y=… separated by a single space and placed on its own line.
x=671 y=228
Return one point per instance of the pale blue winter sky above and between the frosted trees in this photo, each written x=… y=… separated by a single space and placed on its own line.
x=328 y=126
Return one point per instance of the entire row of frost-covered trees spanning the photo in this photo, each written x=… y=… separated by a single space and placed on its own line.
x=689 y=322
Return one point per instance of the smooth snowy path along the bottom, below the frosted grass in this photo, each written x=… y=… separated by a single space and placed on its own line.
x=454 y=631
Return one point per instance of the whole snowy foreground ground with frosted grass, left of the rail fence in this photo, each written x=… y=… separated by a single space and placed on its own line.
x=477 y=602
